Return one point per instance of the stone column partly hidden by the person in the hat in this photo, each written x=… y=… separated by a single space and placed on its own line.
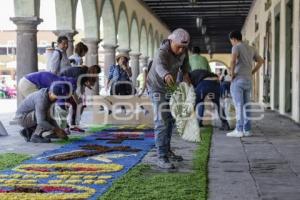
x=109 y=57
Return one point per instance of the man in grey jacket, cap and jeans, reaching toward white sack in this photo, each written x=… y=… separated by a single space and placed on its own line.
x=171 y=57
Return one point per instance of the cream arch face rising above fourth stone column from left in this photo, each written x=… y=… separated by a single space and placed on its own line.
x=109 y=23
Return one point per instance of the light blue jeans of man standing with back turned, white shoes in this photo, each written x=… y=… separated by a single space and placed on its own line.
x=240 y=92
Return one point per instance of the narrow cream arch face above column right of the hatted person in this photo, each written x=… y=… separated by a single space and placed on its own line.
x=134 y=34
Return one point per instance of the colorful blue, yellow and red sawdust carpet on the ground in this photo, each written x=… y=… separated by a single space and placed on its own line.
x=84 y=169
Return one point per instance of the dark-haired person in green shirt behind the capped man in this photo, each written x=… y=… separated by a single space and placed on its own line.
x=197 y=61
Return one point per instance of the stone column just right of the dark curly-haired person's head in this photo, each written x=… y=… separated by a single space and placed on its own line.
x=92 y=57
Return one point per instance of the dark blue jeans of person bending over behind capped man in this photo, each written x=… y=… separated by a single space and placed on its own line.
x=203 y=89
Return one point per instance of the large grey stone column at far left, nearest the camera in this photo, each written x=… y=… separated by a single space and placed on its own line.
x=27 y=60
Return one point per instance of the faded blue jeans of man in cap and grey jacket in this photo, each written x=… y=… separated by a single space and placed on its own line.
x=163 y=123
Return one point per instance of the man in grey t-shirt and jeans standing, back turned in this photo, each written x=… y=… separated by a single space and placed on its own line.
x=241 y=71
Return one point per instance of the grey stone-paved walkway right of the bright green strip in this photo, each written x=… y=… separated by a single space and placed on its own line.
x=265 y=166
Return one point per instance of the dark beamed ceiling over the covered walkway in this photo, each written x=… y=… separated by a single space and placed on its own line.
x=218 y=16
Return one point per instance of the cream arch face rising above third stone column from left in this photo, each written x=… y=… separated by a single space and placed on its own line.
x=90 y=17
